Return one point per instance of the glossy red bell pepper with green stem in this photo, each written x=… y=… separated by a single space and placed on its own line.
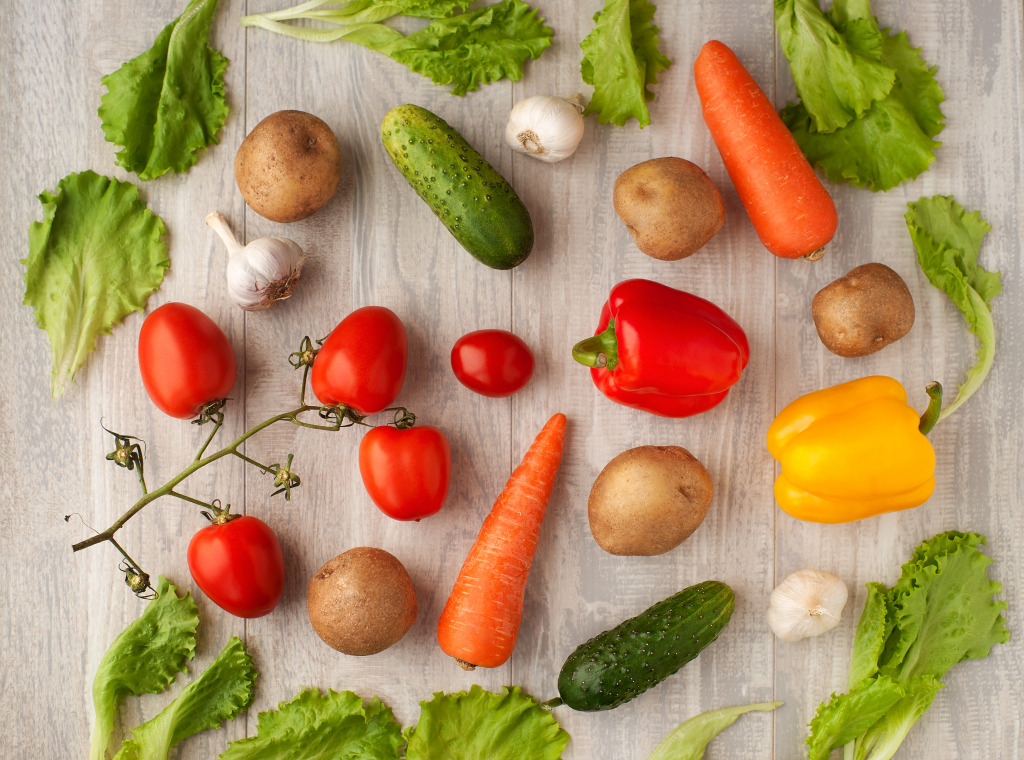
x=664 y=351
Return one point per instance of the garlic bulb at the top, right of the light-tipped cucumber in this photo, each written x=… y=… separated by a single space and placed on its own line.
x=546 y=128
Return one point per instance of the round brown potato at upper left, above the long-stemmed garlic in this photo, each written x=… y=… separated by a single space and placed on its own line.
x=289 y=166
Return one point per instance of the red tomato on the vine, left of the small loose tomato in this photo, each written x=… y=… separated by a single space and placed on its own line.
x=363 y=362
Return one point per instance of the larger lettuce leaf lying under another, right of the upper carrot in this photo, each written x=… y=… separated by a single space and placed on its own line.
x=893 y=141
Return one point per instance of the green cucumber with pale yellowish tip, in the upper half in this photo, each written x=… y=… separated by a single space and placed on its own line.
x=474 y=201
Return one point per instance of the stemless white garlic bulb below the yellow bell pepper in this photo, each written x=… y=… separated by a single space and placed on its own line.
x=806 y=604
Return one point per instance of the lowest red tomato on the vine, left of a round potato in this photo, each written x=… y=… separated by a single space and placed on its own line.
x=239 y=566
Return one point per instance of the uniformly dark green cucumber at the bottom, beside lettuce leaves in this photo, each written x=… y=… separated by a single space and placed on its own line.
x=641 y=653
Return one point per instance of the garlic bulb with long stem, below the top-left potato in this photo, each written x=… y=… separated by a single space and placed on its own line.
x=262 y=273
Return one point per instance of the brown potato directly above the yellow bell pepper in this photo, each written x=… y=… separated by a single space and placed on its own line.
x=864 y=312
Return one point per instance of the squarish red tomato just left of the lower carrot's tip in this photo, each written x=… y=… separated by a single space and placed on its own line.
x=406 y=473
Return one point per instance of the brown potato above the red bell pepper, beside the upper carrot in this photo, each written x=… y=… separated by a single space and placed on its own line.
x=671 y=207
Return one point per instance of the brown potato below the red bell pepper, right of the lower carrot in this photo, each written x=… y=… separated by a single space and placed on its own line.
x=649 y=500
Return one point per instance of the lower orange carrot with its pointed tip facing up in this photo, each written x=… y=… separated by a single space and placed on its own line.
x=481 y=621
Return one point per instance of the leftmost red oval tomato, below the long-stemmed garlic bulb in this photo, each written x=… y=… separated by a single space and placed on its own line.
x=186 y=360
